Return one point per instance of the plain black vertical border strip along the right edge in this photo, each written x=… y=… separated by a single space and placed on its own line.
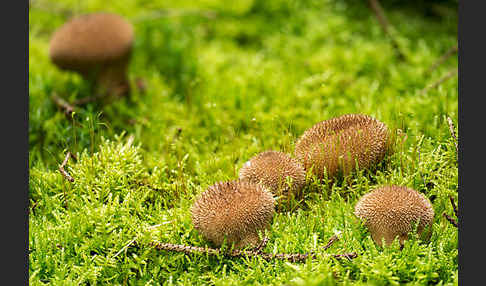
x=471 y=126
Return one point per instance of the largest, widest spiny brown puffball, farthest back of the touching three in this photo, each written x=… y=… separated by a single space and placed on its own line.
x=339 y=143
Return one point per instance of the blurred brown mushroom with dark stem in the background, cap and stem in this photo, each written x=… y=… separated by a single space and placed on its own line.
x=98 y=46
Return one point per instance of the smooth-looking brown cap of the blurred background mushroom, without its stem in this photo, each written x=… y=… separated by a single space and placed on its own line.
x=89 y=41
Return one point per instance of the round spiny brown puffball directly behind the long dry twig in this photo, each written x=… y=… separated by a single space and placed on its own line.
x=234 y=210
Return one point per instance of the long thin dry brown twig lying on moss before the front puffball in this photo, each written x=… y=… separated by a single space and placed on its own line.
x=242 y=253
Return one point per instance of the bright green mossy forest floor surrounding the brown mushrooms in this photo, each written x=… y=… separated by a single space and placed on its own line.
x=225 y=80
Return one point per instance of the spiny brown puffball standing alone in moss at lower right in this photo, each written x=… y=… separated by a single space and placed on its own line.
x=391 y=211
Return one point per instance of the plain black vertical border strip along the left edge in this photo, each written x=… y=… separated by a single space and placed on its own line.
x=15 y=115
